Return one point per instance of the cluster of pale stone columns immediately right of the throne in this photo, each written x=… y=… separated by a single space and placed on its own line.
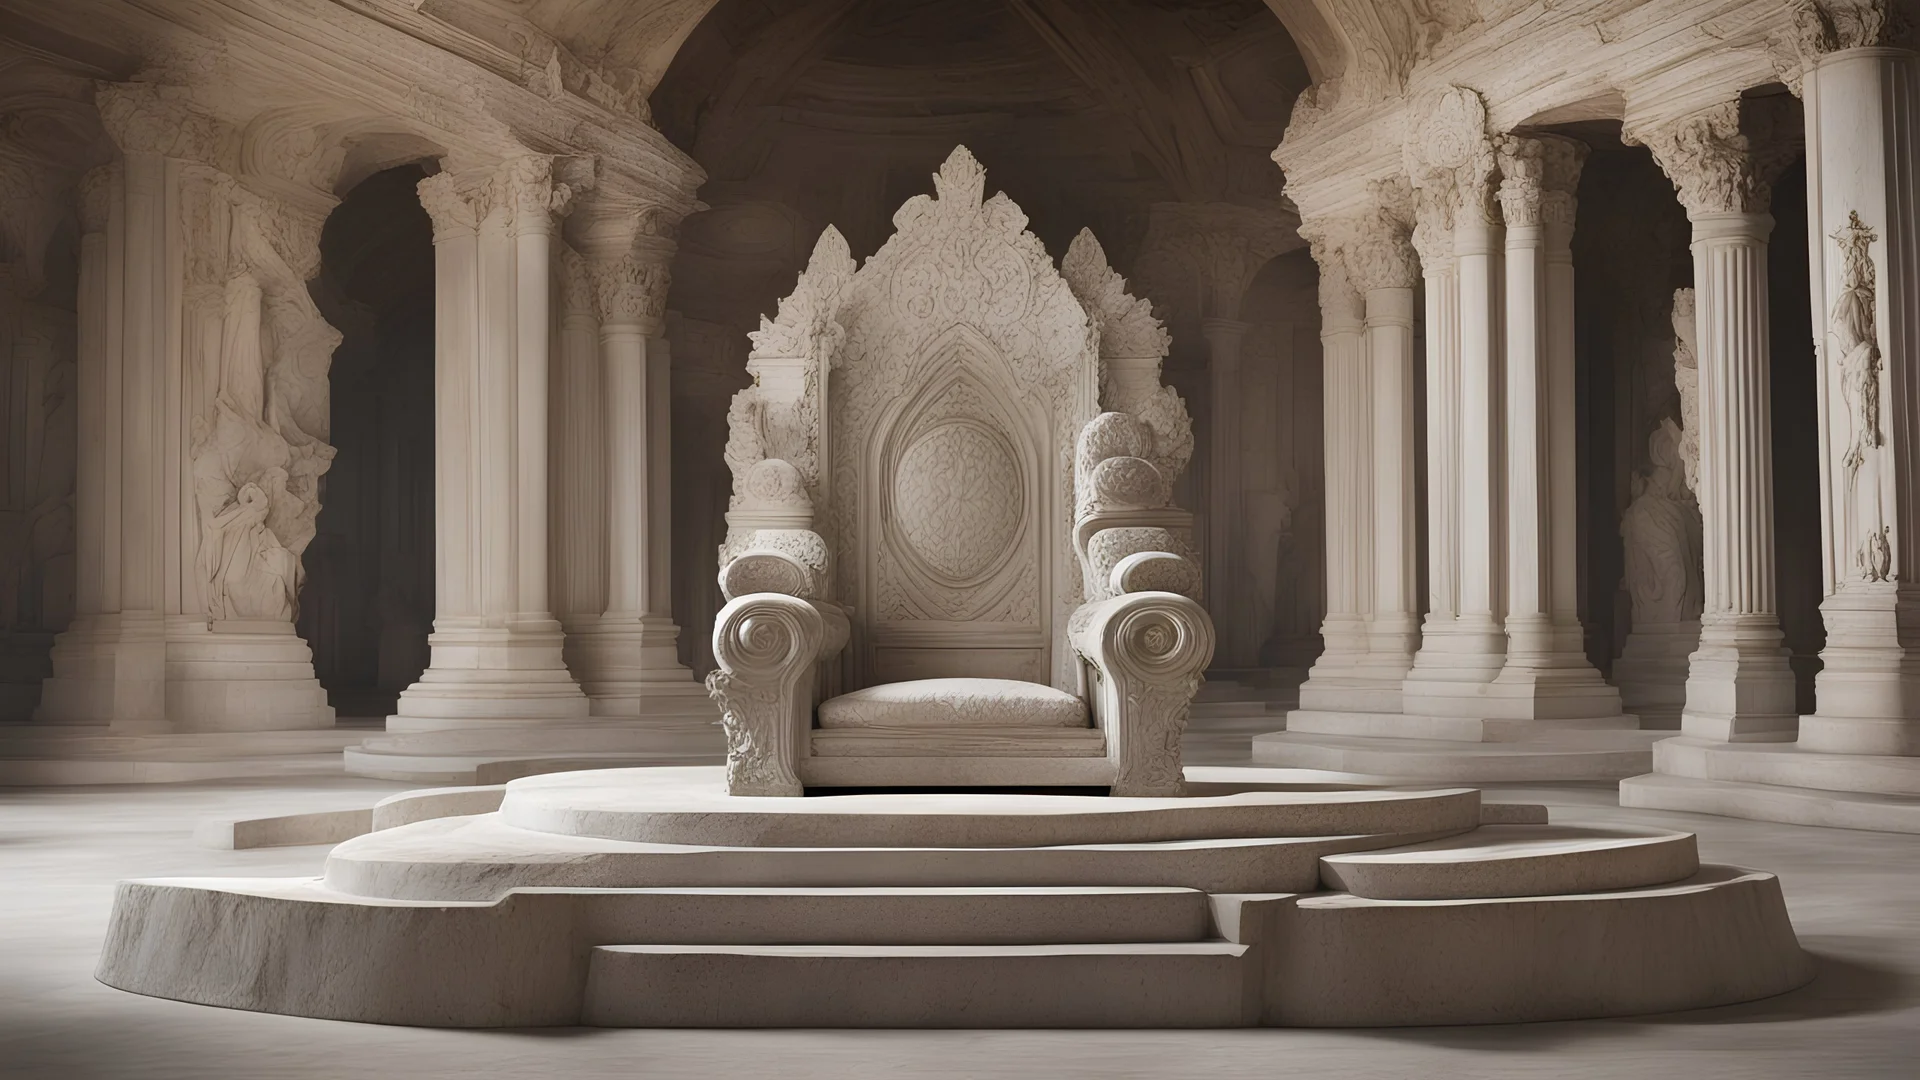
x=1491 y=235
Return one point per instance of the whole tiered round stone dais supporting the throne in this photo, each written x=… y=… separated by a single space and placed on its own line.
x=1262 y=908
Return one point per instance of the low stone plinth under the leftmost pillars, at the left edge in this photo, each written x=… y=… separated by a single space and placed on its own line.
x=70 y=754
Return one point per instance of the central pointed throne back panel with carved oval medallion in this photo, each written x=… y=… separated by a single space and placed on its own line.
x=953 y=403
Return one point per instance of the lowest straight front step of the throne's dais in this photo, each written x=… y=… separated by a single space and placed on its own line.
x=1180 y=985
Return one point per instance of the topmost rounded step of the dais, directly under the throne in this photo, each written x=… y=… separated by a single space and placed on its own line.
x=690 y=806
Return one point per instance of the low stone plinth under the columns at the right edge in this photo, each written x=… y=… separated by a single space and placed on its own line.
x=1779 y=781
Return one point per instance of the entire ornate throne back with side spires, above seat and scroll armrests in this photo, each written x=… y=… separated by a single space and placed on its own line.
x=917 y=443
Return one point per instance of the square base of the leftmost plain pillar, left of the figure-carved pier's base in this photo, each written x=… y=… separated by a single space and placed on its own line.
x=110 y=672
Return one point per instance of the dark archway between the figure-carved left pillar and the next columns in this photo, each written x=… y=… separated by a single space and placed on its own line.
x=370 y=597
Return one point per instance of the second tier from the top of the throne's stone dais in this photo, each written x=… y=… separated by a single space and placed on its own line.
x=479 y=858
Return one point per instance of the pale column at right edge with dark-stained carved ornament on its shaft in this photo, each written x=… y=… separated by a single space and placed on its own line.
x=1861 y=107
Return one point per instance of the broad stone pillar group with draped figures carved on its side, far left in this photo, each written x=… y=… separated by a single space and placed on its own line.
x=203 y=437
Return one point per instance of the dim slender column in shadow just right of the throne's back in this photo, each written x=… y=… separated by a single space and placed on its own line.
x=1224 y=339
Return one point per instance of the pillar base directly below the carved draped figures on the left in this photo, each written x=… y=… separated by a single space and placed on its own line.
x=243 y=677
